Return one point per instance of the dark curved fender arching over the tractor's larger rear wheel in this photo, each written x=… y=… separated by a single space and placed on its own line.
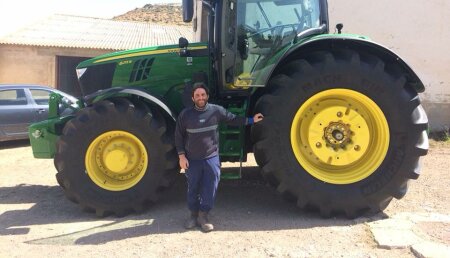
x=333 y=41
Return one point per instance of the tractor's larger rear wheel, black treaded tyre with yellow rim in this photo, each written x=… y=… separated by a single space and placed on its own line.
x=293 y=164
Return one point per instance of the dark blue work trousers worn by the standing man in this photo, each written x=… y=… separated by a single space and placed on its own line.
x=203 y=177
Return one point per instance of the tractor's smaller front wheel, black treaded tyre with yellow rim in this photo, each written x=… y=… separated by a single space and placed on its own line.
x=90 y=163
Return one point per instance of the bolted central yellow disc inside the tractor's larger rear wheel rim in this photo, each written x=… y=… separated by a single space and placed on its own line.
x=329 y=135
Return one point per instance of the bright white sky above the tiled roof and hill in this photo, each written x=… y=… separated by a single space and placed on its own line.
x=19 y=13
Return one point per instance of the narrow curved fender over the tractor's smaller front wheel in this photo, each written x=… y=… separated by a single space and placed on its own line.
x=113 y=92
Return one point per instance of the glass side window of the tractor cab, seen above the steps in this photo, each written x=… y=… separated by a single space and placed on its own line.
x=265 y=29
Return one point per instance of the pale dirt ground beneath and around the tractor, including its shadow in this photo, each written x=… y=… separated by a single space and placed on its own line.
x=251 y=219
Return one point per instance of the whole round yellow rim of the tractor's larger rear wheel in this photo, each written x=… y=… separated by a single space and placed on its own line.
x=340 y=136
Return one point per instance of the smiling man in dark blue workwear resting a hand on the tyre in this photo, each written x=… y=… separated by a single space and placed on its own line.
x=196 y=140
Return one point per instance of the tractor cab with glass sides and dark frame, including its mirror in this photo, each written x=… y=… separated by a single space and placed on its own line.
x=247 y=37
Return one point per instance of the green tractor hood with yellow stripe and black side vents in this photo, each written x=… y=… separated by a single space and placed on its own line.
x=152 y=67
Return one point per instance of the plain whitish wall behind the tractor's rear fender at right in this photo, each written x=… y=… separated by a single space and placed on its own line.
x=419 y=31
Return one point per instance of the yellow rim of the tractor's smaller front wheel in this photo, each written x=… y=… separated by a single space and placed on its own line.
x=116 y=160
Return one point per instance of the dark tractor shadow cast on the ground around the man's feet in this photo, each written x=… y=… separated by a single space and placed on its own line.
x=242 y=205
